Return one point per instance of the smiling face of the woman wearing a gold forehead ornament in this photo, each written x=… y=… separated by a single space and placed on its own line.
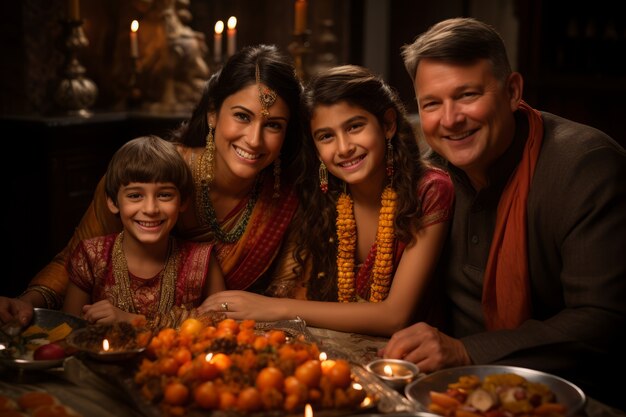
x=245 y=140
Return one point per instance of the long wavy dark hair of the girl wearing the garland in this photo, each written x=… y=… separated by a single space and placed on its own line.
x=317 y=214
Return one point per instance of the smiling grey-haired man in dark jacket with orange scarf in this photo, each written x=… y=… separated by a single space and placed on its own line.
x=535 y=267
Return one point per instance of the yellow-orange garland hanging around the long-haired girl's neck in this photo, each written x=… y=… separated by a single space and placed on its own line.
x=385 y=239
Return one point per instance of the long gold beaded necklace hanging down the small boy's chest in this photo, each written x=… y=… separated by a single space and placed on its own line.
x=123 y=295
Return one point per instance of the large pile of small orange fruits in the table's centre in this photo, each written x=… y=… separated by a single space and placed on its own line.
x=230 y=366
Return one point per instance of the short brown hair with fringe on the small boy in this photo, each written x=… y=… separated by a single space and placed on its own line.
x=148 y=159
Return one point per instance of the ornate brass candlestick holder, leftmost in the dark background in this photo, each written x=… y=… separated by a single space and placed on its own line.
x=75 y=93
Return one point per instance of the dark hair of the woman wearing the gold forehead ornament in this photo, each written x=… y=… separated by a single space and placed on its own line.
x=275 y=70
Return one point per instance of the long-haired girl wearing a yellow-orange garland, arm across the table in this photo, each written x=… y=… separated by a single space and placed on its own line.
x=360 y=160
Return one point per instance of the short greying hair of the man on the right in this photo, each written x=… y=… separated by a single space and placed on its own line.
x=461 y=41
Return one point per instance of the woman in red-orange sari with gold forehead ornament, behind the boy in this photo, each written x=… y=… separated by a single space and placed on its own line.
x=240 y=142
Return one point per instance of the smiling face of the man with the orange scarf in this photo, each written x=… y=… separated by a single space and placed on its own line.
x=466 y=113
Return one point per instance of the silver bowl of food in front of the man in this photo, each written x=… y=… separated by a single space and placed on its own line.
x=486 y=389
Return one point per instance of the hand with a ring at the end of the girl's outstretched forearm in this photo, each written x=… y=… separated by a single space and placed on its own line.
x=242 y=305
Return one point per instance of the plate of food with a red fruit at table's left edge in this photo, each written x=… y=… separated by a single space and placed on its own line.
x=41 y=344
